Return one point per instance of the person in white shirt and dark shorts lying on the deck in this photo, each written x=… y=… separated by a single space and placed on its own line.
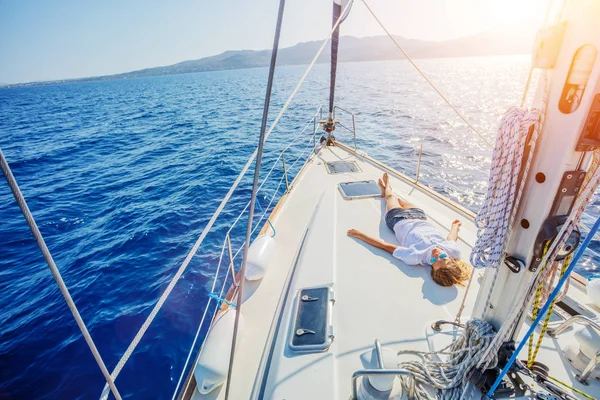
x=419 y=241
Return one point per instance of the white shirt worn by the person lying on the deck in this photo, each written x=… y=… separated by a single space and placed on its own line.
x=417 y=239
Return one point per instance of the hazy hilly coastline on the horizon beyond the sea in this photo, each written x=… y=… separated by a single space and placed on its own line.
x=374 y=48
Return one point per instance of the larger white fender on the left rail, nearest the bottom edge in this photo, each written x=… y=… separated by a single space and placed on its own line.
x=213 y=362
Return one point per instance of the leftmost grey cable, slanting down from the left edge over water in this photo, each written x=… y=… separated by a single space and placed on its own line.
x=14 y=187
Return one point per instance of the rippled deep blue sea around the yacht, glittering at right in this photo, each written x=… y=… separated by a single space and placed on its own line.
x=122 y=176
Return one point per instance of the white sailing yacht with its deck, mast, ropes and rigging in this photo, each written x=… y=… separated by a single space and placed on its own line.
x=312 y=313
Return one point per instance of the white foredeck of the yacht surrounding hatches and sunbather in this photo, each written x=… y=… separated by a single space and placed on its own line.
x=377 y=296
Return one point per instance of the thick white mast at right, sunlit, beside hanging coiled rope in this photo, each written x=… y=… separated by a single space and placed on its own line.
x=568 y=51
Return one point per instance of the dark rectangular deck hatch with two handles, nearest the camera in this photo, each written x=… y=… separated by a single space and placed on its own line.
x=312 y=330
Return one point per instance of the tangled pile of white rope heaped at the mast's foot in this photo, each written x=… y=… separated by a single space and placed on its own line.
x=449 y=377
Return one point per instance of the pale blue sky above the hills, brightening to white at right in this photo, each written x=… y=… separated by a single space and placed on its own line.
x=58 y=39
